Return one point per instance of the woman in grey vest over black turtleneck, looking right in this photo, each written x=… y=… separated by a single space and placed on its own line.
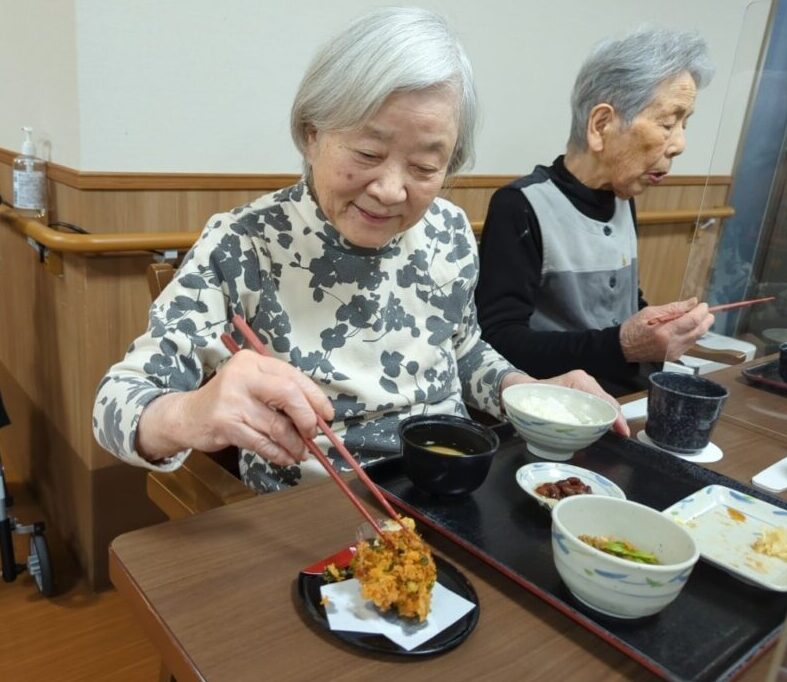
x=559 y=286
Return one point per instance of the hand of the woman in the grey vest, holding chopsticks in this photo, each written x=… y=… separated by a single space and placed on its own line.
x=643 y=342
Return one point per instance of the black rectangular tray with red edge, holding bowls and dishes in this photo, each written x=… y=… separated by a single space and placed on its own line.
x=714 y=629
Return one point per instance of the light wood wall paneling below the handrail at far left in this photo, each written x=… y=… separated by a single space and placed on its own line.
x=59 y=336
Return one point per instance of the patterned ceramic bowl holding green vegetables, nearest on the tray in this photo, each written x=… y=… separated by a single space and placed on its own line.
x=609 y=584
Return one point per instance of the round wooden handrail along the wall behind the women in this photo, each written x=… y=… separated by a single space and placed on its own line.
x=55 y=240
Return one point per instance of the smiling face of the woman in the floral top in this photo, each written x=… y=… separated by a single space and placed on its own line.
x=378 y=180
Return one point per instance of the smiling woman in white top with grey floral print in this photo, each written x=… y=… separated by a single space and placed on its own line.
x=358 y=279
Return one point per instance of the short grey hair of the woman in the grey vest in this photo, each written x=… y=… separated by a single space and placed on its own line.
x=625 y=73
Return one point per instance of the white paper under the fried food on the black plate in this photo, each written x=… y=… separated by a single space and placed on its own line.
x=347 y=610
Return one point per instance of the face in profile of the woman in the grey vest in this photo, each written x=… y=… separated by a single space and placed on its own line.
x=637 y=156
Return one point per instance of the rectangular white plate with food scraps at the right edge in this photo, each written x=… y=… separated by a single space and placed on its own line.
x=740 y=534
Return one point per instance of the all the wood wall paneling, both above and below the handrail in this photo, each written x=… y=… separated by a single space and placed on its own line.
x=60 y=334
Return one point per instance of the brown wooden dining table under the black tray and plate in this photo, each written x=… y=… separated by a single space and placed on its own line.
x=217 y=591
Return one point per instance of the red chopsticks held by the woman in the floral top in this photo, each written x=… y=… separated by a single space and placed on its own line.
x=253 y=340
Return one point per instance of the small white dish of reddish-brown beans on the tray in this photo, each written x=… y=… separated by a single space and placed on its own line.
x=549 y=482
